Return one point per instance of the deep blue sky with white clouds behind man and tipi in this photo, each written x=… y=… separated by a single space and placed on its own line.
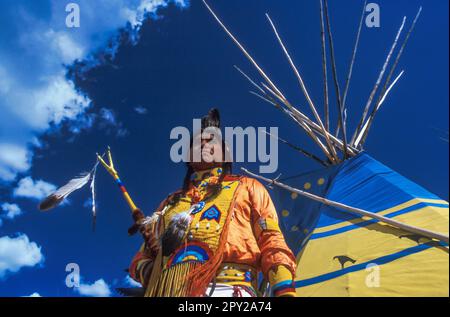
x=166 y=69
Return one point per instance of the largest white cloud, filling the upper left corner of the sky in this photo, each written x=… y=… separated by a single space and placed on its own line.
x=35 y=94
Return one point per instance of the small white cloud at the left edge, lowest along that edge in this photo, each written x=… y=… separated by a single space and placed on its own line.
x=18 y=252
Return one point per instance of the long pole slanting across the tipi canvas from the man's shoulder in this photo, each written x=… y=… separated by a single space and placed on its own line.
x=340 y=206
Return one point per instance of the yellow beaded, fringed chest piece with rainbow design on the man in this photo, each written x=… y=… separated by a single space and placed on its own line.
x=202 y=238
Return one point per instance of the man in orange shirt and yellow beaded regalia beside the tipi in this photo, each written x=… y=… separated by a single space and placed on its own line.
x=216 y=234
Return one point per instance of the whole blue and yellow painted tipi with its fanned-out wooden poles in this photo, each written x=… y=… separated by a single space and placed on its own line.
x=340 y=252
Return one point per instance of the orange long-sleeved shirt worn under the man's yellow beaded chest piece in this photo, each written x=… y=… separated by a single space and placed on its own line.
x=254 y=239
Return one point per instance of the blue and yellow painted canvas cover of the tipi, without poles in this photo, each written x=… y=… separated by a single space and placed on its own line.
x=343 y=254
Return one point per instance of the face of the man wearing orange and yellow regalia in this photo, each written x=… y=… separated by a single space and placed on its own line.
x=208 y=145
